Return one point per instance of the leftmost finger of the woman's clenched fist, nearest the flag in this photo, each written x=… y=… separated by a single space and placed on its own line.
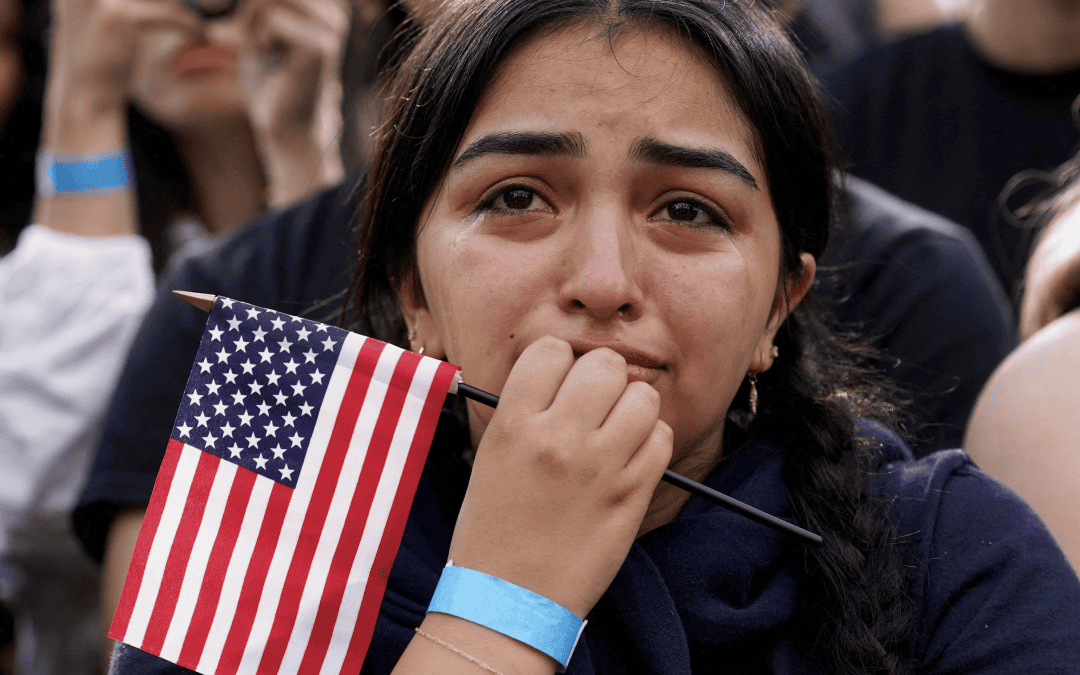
x=536 y=379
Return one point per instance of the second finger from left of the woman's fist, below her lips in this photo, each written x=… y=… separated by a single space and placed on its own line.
x=592 y=388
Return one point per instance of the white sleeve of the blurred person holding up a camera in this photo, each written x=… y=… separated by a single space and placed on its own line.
x=70 y=308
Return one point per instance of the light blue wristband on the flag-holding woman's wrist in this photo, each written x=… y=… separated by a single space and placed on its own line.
x=509 y=610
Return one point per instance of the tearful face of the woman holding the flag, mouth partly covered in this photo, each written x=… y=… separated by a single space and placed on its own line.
x=610 y=199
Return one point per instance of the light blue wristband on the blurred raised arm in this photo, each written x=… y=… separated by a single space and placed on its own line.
x=84 y=174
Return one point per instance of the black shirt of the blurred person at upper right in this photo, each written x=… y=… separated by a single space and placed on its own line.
x=930 y=120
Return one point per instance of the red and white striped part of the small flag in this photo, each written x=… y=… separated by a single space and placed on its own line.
x=234 y=573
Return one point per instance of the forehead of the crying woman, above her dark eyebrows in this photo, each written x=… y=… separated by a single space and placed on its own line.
x=671 y=79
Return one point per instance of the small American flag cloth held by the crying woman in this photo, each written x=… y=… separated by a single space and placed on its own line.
x=282 y=498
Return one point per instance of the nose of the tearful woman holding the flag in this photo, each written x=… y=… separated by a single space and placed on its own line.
x=603 y=280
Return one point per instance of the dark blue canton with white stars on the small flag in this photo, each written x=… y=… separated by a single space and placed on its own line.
x=256 y=387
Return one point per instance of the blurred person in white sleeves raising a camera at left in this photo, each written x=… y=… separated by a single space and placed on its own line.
x=165 y=127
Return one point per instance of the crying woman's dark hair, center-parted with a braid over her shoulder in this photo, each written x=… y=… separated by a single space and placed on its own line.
x=855 y=617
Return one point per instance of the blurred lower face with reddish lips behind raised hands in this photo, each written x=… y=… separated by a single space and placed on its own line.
x=184 y=80
